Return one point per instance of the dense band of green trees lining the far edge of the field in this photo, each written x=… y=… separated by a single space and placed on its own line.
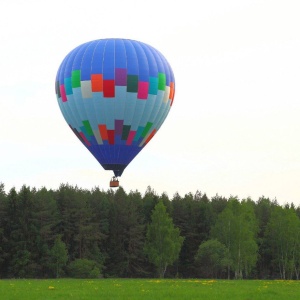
x=75 y=232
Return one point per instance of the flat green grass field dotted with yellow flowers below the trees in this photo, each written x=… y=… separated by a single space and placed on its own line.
x=153 y=289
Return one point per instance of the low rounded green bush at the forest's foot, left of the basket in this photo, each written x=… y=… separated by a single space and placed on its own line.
x=83 y=268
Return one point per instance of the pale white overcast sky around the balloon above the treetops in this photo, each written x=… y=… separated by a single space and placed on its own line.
x=234 y=128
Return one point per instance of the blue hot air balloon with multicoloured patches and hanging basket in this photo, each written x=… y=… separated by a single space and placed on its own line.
x=115 y=94
